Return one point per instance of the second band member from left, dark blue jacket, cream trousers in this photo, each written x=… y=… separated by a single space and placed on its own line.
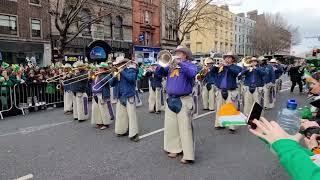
x=80 y=97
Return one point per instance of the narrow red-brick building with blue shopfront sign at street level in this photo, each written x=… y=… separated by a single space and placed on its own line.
x=146 y=29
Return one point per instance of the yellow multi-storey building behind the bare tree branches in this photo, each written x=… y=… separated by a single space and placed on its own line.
x=216 y=36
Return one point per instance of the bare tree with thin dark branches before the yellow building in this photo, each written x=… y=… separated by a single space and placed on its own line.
x=190 y=15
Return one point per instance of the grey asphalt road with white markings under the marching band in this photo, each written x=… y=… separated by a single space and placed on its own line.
x=51 y=146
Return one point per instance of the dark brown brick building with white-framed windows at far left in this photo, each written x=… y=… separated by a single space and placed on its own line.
x=25 y=31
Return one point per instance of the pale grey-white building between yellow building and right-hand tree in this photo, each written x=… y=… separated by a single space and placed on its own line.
x=244 y=30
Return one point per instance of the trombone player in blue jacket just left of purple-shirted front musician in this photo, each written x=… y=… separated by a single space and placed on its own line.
x=125 y=88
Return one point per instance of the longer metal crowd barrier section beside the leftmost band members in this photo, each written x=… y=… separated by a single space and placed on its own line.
x=36 y=96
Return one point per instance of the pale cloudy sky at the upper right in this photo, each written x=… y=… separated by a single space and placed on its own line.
x=302 y=13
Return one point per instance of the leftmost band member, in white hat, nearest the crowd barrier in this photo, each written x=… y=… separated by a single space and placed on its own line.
x=68 y=95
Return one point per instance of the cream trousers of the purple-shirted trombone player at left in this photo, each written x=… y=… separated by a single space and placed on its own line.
x=100 y=111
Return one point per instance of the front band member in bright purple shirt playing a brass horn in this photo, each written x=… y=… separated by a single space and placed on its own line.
x=178 y=129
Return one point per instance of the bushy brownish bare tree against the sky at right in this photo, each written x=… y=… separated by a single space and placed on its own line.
x=273 y=34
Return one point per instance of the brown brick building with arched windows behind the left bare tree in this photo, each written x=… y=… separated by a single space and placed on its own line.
x=115 y=29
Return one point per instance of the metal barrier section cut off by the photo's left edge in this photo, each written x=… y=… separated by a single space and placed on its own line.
x=5 y=99
